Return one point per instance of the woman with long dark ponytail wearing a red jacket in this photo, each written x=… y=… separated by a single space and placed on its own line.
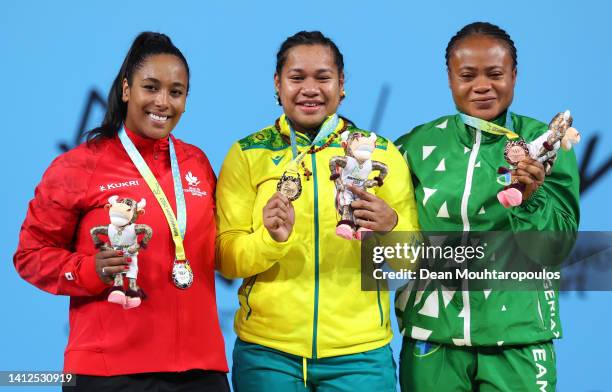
x=86 y=235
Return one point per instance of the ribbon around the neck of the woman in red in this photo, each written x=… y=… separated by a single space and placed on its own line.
x=177 y=228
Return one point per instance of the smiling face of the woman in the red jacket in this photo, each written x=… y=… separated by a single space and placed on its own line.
x=156 y=96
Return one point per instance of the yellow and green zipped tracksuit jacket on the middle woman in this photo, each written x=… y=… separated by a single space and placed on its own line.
x=302 y=296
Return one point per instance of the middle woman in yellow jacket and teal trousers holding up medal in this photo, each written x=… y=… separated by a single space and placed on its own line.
x=304 y=321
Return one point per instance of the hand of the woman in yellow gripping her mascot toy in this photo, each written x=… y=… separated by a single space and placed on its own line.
x=372 y=212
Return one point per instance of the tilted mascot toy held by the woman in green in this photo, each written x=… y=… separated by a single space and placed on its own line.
x=544 y=149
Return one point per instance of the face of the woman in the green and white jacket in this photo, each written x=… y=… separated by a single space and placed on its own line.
x=481 y=76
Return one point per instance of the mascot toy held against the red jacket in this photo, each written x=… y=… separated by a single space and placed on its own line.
x=123 y=235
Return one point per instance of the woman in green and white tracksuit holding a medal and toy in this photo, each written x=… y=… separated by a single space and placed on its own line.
x=486 y=339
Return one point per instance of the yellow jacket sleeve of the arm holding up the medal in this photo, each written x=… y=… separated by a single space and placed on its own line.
x=242 y=249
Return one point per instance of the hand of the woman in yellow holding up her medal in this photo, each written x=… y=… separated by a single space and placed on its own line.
x=279 y=217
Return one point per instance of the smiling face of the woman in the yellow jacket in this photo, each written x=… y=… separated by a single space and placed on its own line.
x=309 y=86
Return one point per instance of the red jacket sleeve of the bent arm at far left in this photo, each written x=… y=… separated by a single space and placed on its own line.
x=45 y=255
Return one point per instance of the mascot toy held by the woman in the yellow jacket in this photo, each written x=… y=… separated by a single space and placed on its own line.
x=354 y=169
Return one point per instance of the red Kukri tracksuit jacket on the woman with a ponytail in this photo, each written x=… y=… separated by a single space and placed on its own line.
x=173 y=330
